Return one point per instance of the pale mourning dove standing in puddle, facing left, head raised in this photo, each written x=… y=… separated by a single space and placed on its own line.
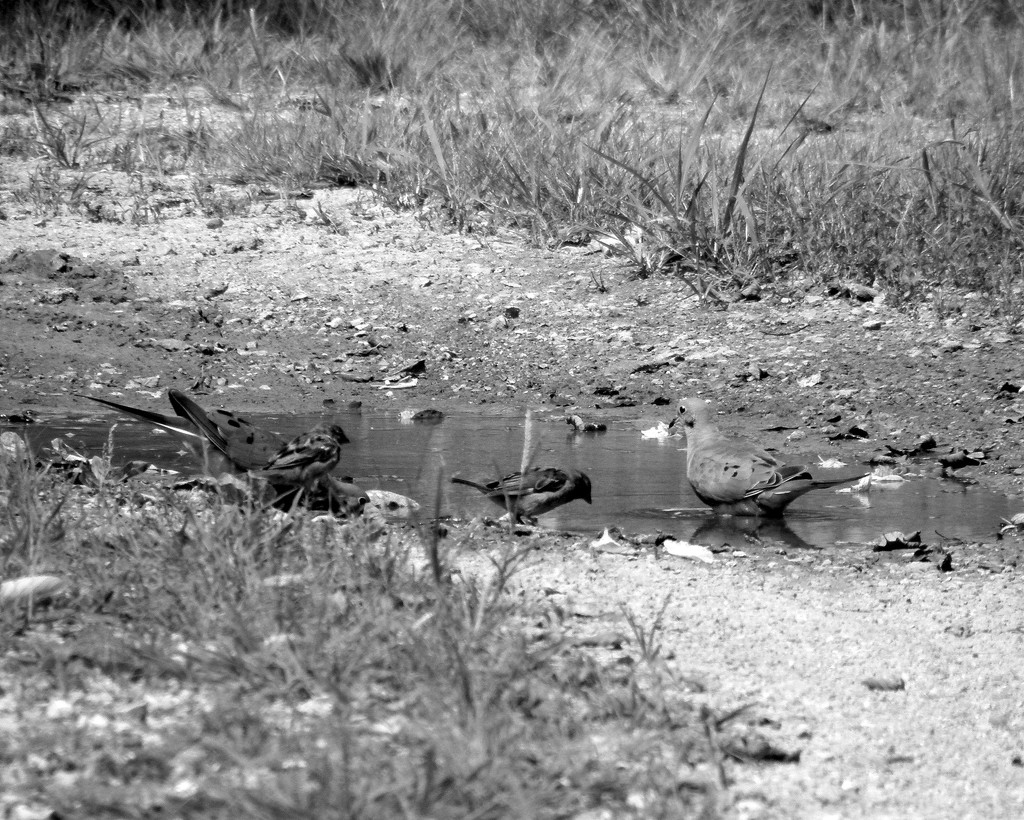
x=735 y=478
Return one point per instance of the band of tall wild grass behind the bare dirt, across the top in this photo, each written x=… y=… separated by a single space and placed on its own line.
x=724 y=142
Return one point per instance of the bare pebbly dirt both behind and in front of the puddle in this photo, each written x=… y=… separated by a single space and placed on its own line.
x=280 y=314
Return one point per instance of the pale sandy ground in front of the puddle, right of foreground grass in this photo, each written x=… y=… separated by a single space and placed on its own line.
x=799 y=639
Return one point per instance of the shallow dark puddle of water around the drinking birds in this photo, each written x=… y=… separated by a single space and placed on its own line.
x=639 y=485
